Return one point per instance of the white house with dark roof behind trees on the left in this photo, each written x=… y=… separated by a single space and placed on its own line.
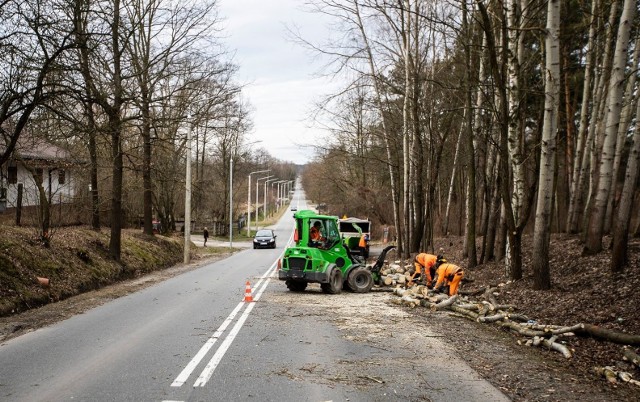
x=52 y=165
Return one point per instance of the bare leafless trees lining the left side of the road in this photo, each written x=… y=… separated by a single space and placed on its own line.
x=121 y=83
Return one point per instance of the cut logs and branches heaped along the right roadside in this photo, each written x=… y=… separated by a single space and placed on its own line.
x=488 y=310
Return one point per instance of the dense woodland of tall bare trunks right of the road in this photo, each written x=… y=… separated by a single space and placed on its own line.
x=484 y=118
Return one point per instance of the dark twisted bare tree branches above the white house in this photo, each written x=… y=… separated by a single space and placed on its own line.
x=33 y=35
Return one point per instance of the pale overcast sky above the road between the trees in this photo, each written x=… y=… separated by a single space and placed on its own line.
x=280 y=78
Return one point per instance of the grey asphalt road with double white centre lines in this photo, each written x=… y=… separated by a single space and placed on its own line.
x=193 y=338
